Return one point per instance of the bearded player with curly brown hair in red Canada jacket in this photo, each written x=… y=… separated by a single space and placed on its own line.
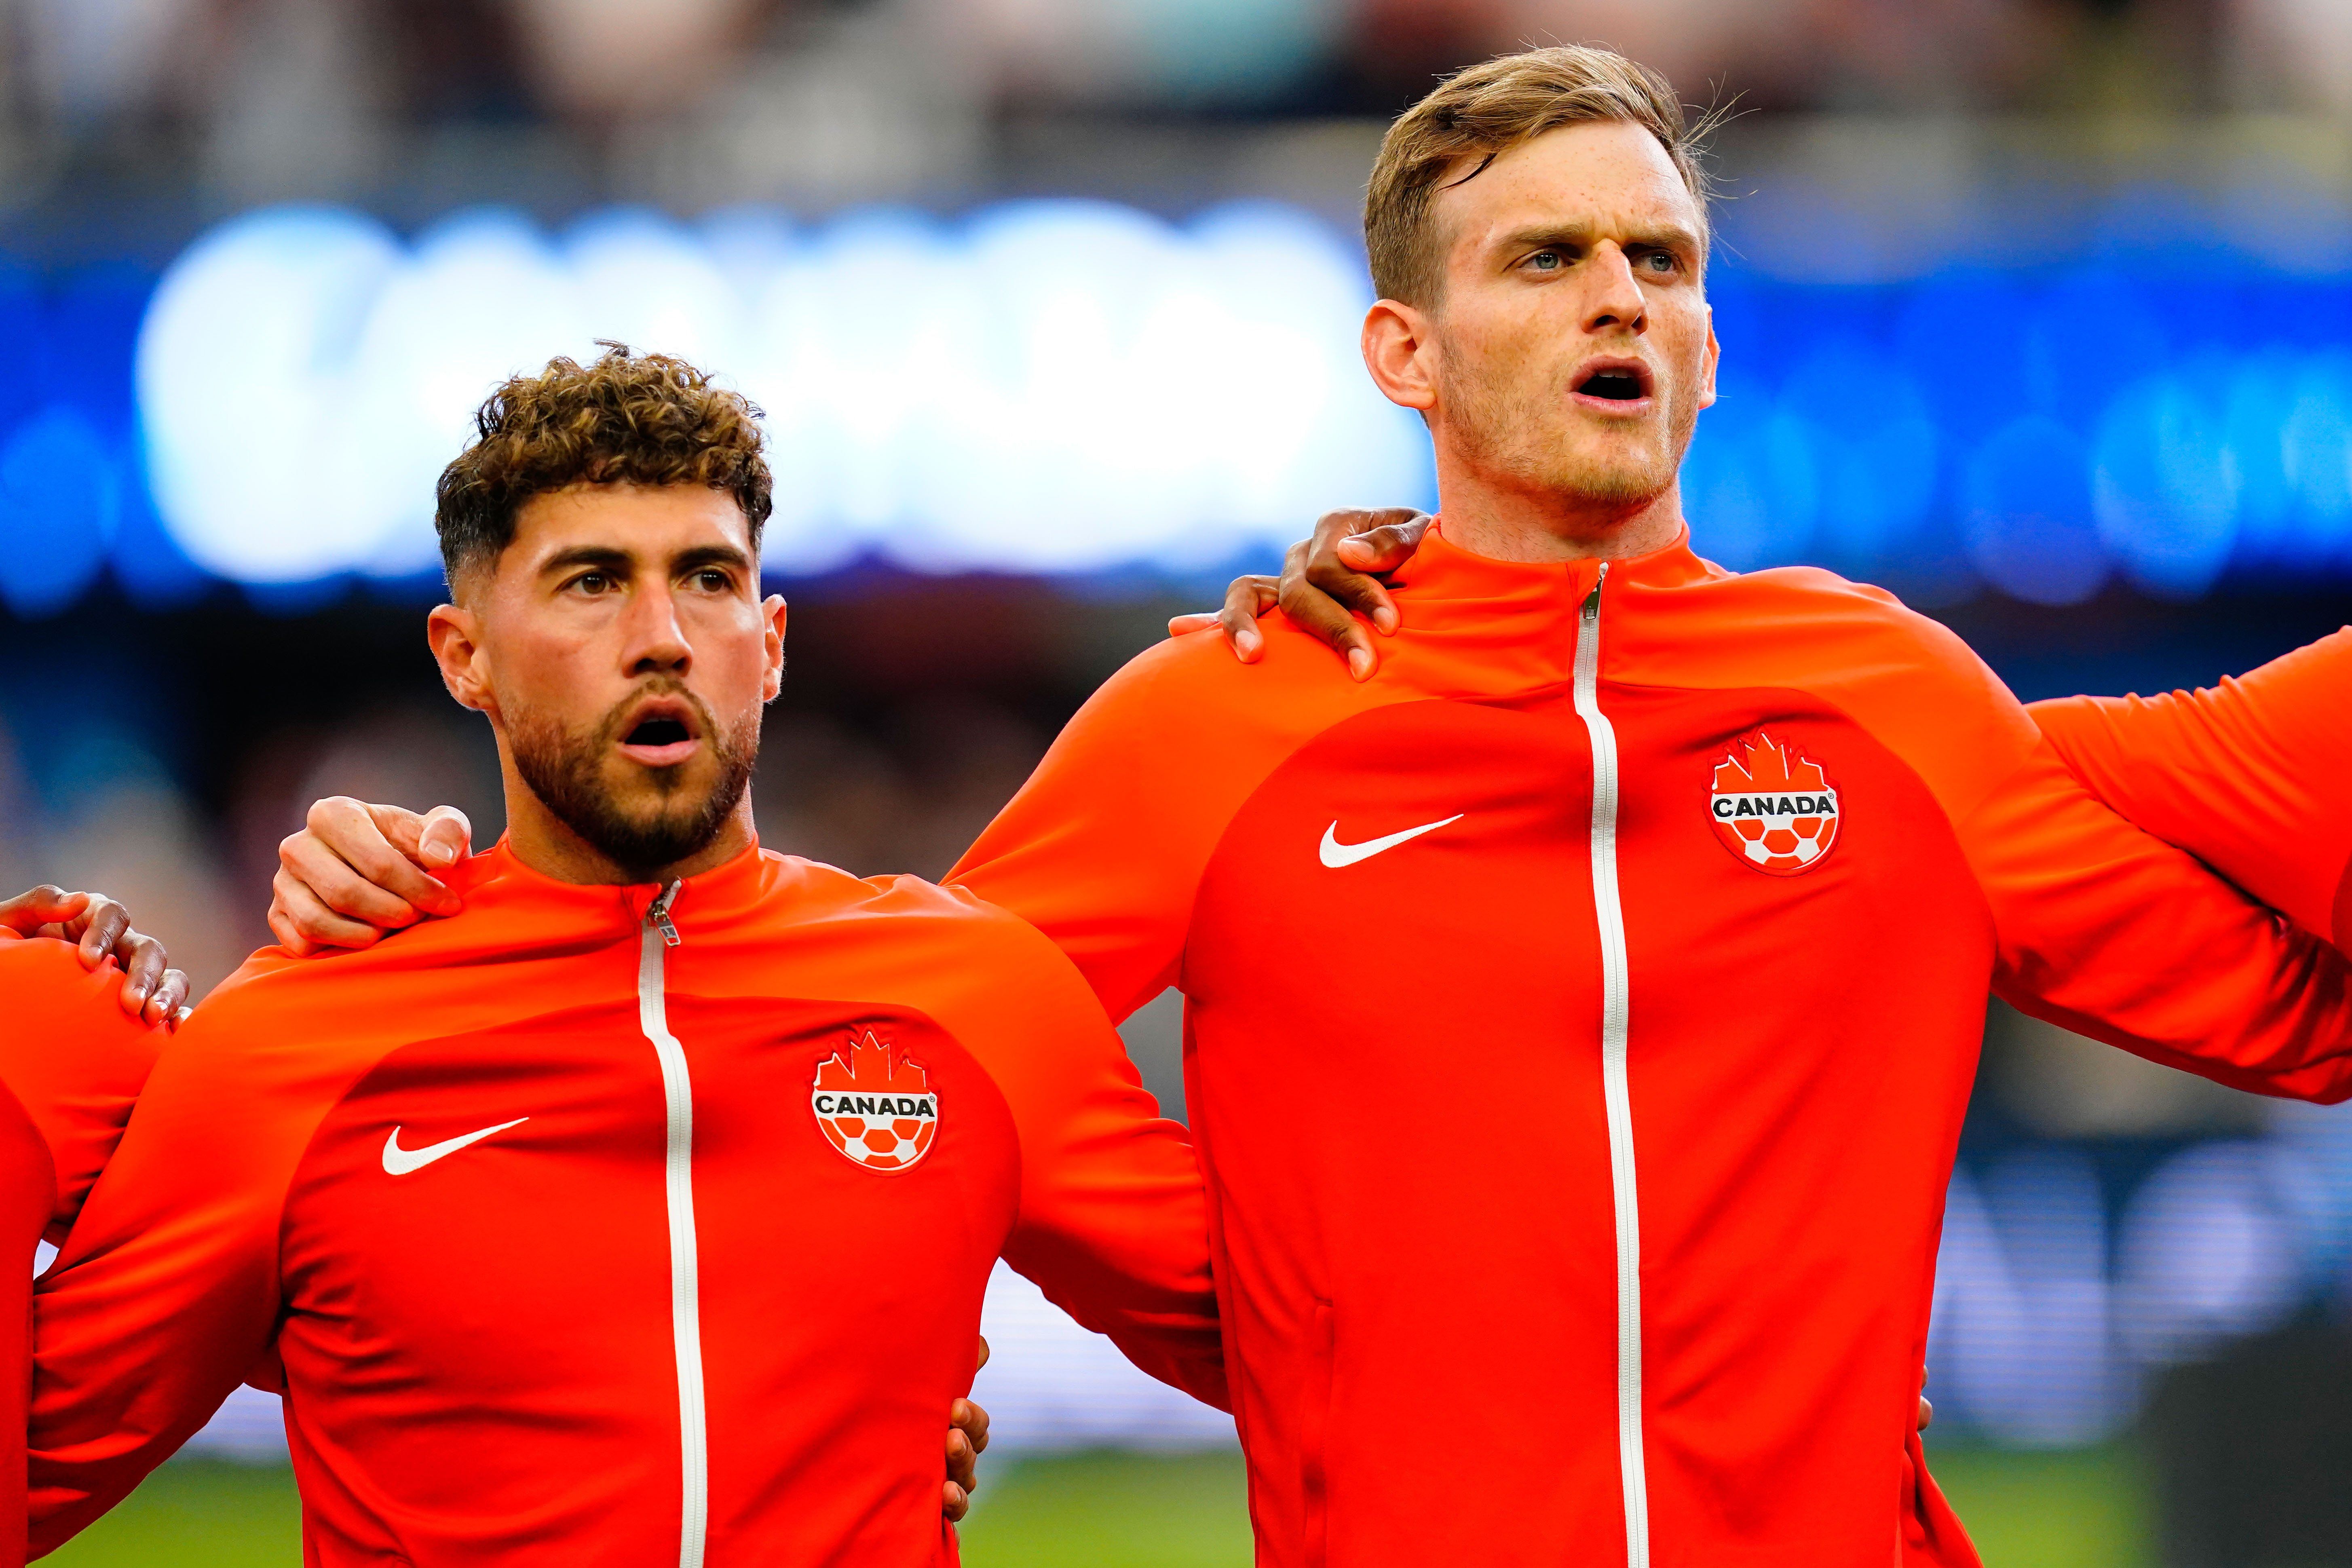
x=643 y=1209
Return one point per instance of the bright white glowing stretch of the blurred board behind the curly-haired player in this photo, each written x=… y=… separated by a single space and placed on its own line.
x=1053 y=387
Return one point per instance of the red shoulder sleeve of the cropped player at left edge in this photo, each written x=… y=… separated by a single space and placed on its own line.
x=74 y=1061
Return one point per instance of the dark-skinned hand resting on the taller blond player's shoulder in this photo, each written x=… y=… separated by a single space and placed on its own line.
x=1330 y=589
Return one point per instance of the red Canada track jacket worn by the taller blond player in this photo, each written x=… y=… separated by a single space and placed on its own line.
x=1579 y=1028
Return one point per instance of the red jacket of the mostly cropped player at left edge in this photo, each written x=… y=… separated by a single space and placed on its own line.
x=72 y=1064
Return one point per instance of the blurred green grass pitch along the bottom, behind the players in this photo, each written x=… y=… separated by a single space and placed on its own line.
x=1116 y=1510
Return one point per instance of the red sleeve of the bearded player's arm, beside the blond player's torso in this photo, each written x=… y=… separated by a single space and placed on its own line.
x=1114 y=1219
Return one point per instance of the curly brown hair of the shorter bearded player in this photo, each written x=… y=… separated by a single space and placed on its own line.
x=627 y=420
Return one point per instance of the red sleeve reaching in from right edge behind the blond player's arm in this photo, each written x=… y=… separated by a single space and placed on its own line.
x=2250 y=777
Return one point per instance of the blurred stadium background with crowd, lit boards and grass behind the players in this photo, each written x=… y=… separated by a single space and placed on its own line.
x=2038 y=311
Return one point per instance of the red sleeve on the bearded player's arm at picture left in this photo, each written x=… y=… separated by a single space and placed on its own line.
x=166 y=1292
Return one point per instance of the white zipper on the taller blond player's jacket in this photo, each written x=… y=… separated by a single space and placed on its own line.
x=1610 y=913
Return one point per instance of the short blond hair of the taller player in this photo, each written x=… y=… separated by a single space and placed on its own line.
x=1488 y=112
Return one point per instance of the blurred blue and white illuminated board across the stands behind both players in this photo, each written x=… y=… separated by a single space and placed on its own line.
x=1081 y=389
